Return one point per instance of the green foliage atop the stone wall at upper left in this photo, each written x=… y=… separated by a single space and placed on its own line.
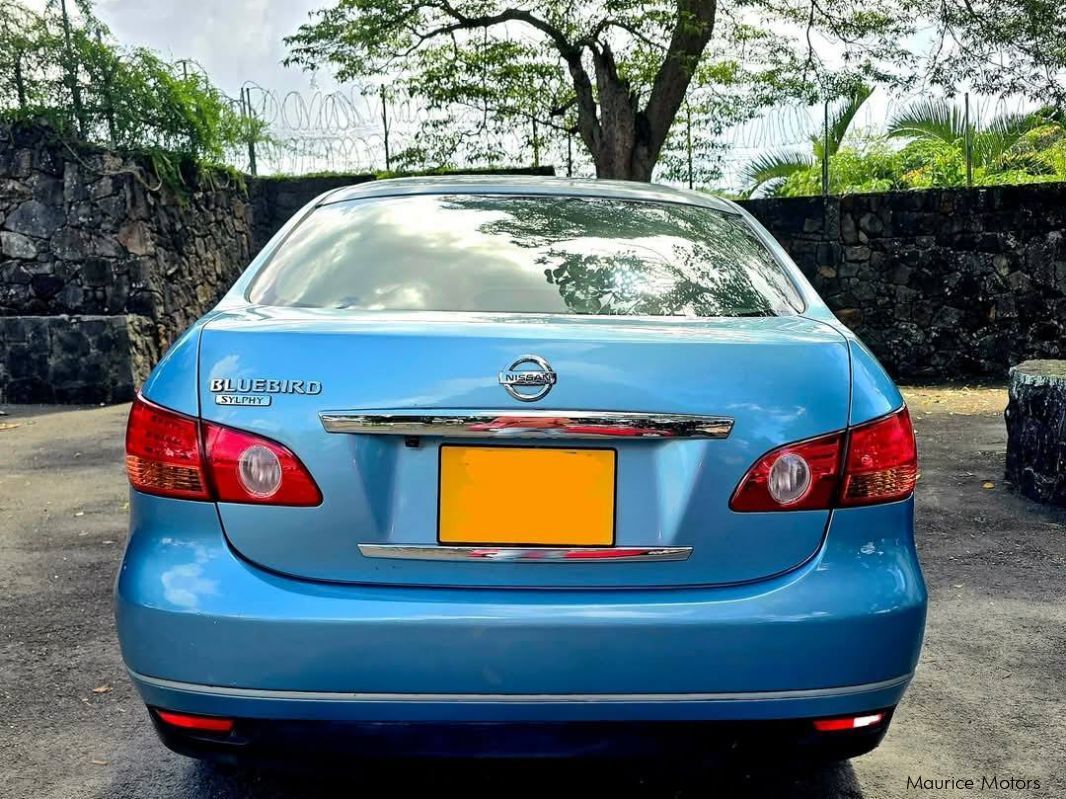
x=66 y=71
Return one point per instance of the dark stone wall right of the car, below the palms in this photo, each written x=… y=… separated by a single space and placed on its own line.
x=942 y=284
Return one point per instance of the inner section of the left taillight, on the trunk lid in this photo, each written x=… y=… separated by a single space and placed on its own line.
x=250 y=469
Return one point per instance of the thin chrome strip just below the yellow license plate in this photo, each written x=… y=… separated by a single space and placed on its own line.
x=526 y=555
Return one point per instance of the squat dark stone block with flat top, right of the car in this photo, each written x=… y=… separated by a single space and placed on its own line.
x=1037 y=431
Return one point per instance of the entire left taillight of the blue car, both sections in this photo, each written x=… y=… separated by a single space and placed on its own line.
x=174 y=455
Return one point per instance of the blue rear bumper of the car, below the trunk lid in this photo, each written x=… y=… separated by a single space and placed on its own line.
x=205 y=632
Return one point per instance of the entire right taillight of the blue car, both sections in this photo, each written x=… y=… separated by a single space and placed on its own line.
x=873 y=463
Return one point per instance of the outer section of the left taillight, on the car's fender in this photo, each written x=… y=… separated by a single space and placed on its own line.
x=164 y=453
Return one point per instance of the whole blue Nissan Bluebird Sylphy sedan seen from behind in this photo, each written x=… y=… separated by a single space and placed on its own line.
x=521 y=468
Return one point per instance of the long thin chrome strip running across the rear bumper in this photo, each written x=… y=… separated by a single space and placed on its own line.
x=519 y=698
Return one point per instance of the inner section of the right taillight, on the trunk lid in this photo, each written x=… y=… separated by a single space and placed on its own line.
x=819 y=458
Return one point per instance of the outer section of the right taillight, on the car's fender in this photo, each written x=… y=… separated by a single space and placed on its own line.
x=882 y=462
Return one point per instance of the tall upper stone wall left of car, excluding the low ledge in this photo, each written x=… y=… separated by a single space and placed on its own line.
x=91 y=233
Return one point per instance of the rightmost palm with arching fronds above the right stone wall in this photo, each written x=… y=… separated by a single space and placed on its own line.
x=996 y=145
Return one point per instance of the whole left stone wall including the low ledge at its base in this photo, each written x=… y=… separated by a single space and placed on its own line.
x=102 y=268
